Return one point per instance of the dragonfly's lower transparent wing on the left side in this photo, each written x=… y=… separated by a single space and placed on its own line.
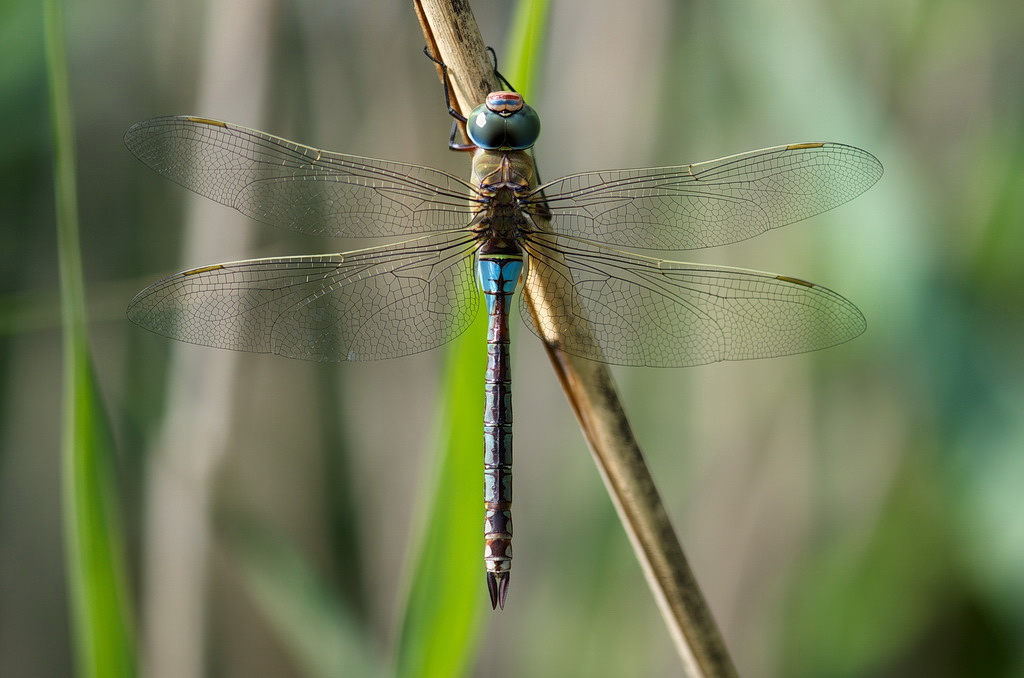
x=363 y=306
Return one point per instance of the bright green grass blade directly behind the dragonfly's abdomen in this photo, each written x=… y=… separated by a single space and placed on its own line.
x=447 y=580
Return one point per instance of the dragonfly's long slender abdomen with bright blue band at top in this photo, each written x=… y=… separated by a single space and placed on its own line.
x=498 y=276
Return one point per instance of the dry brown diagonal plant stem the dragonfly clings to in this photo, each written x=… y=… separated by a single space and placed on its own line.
x=453 y=36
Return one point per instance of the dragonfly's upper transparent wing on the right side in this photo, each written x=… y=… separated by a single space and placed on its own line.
x=708 y=204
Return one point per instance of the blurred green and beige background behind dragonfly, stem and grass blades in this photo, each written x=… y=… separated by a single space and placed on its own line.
x=854 y=513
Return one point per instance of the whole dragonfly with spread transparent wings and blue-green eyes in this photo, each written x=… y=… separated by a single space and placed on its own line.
x=452 y=240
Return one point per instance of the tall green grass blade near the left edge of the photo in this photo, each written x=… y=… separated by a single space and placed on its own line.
x=100 y=609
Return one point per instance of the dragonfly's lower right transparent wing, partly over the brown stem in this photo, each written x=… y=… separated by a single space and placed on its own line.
x=646 y=312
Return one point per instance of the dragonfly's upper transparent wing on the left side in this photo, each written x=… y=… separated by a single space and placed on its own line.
x=294 y=187
